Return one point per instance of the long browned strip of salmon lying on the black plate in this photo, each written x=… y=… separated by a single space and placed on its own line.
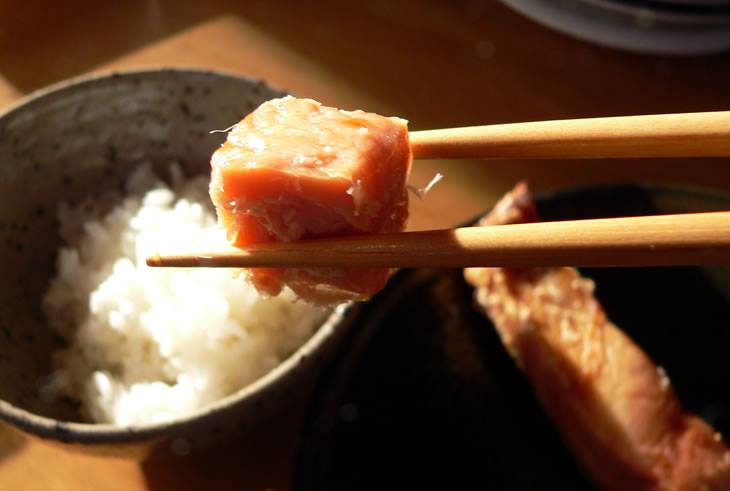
x=615 y=409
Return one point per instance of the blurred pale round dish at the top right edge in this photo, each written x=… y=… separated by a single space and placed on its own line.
x=624 y=25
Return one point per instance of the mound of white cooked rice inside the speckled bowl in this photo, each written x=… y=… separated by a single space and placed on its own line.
x=150 y=344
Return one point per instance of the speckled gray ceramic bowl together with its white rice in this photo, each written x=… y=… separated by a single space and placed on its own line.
x=97 y=350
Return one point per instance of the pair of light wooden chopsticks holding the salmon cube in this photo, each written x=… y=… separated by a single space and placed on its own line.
x=685 y=239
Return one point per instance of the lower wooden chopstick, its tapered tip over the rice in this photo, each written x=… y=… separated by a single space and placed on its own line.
x=664 y=240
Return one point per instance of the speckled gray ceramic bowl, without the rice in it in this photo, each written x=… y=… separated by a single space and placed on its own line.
x=84 y=137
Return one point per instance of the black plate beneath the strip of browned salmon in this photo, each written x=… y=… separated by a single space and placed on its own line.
x=423 y=395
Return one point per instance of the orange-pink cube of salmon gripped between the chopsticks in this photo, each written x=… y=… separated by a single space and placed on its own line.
x=294 y=169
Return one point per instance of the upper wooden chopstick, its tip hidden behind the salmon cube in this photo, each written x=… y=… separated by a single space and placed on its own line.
x=704 y=134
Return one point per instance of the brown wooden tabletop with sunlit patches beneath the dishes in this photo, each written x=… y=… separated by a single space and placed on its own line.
x=436 y=63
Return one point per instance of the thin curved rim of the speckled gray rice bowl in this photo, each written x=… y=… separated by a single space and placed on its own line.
x=105 y=433
